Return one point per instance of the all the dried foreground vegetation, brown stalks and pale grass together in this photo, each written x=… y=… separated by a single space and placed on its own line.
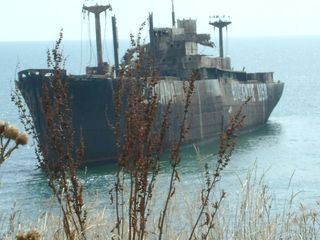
x=140 y=209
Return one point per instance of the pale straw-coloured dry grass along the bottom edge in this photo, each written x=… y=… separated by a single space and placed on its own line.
x=249 y=213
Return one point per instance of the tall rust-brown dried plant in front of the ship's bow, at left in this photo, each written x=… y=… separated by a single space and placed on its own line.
x=58 y=154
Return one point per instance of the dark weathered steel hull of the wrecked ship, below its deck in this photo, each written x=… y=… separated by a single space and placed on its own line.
x=213 y=102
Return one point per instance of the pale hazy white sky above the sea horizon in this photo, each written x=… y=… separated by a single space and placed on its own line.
x=42 y=19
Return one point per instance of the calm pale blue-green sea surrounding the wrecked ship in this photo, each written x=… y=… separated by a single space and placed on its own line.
x=286 y=148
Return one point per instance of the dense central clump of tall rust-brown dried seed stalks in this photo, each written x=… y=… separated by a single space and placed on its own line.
x=141 y=127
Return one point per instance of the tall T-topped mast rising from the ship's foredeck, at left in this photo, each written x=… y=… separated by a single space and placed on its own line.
x=96 y=10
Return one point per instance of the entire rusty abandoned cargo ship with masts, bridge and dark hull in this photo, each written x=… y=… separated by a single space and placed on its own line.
x=220 y=90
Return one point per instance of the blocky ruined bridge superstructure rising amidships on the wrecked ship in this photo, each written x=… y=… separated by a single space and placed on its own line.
x=175 y=49
